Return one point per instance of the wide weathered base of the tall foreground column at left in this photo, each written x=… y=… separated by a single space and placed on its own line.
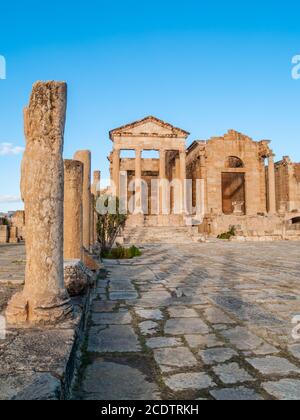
x=23 y=309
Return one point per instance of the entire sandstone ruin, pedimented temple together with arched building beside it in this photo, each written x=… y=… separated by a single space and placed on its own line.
x=211 y=185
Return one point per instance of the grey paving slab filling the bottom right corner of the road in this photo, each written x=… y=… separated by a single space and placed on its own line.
x=285 y=390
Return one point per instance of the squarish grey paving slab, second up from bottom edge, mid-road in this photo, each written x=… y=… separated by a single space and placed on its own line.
x=179 y=357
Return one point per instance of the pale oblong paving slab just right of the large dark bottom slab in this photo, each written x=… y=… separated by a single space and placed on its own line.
x=189 y=381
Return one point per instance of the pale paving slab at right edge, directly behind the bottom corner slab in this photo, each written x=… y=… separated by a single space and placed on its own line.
x=272 y=365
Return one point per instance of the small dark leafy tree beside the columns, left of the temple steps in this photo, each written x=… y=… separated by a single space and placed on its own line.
x=109 y=223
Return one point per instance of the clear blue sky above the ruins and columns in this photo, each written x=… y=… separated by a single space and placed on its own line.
x=203 y=66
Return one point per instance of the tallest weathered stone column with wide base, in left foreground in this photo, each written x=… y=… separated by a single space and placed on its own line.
x=44 y=298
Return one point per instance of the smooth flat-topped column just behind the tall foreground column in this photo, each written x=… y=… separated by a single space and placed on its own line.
x=73 y=210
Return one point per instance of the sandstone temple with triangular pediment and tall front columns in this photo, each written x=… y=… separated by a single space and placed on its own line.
x=136 y=177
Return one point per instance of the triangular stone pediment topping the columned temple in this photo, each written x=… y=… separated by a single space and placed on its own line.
x=149 y=127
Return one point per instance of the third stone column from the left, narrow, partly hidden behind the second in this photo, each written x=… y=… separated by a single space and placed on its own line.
x=84 y=156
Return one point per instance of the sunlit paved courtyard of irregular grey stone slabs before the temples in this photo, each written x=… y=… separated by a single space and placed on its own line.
x=203 y=321
